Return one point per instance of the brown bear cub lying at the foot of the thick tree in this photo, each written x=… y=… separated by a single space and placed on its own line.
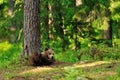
x=45 y=58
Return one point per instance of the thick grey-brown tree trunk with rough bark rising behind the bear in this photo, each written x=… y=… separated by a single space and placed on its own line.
x=31 y=27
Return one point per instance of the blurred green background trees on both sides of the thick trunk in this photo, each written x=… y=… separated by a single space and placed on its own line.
x=66 y=24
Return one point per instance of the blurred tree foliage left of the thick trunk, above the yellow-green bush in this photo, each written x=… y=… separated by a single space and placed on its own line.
x=11 y=16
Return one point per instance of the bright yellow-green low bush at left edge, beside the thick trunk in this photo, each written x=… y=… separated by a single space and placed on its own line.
x=9 y=53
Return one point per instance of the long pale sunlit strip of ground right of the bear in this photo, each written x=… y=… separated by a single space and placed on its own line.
x=90 y=64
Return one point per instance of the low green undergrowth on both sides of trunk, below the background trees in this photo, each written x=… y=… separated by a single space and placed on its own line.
x=9 y=53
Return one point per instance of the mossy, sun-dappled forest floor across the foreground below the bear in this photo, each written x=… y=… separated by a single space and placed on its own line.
x=86 y=70
